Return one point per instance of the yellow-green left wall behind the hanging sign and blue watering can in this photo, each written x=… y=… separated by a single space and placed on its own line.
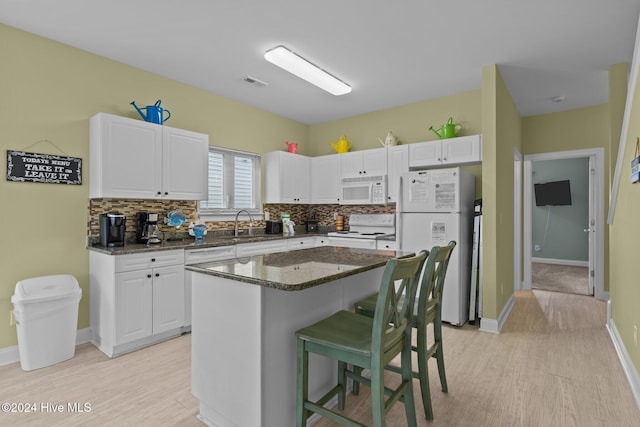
x=49 y=91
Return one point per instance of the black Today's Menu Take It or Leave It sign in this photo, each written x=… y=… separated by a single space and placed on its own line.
x=47 y=168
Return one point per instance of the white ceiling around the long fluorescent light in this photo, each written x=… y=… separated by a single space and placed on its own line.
x=391 y=52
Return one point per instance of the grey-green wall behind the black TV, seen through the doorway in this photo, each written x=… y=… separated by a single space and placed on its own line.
x=558 y=231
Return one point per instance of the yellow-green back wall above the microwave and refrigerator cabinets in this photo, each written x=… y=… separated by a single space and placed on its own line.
x=410 y=123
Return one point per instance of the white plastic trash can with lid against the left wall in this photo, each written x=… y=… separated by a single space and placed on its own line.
x=46 y=313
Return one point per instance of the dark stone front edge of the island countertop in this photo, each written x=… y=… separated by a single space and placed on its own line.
x=293 y=287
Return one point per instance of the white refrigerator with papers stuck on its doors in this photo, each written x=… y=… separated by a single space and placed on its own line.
x=436 y=206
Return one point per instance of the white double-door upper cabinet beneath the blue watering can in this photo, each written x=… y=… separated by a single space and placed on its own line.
x=139 y=160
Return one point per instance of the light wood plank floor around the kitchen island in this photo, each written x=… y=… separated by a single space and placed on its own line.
x=552 y=365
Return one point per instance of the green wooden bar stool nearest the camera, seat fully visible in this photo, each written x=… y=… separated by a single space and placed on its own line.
x=365 y=342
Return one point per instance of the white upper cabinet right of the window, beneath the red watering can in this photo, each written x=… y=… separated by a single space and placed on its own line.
x=287 y=177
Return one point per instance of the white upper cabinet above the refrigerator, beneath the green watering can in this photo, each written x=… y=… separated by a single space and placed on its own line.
x=451 y=151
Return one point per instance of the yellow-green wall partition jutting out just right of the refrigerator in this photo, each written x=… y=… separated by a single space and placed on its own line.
x=501 y=134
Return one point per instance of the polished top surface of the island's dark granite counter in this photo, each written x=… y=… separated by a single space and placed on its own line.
x=300 y=269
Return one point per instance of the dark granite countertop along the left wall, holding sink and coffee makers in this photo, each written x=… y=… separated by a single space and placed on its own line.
x=209 y=241
